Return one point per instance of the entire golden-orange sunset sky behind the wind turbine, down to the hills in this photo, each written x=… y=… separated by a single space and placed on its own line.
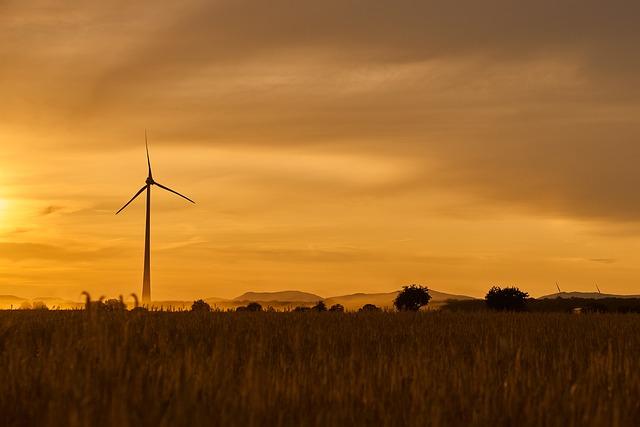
x=332 y=146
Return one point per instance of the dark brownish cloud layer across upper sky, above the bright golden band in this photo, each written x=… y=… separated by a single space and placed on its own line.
x=528 y=105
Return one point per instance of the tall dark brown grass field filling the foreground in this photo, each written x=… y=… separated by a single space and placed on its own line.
x=159 y=368
